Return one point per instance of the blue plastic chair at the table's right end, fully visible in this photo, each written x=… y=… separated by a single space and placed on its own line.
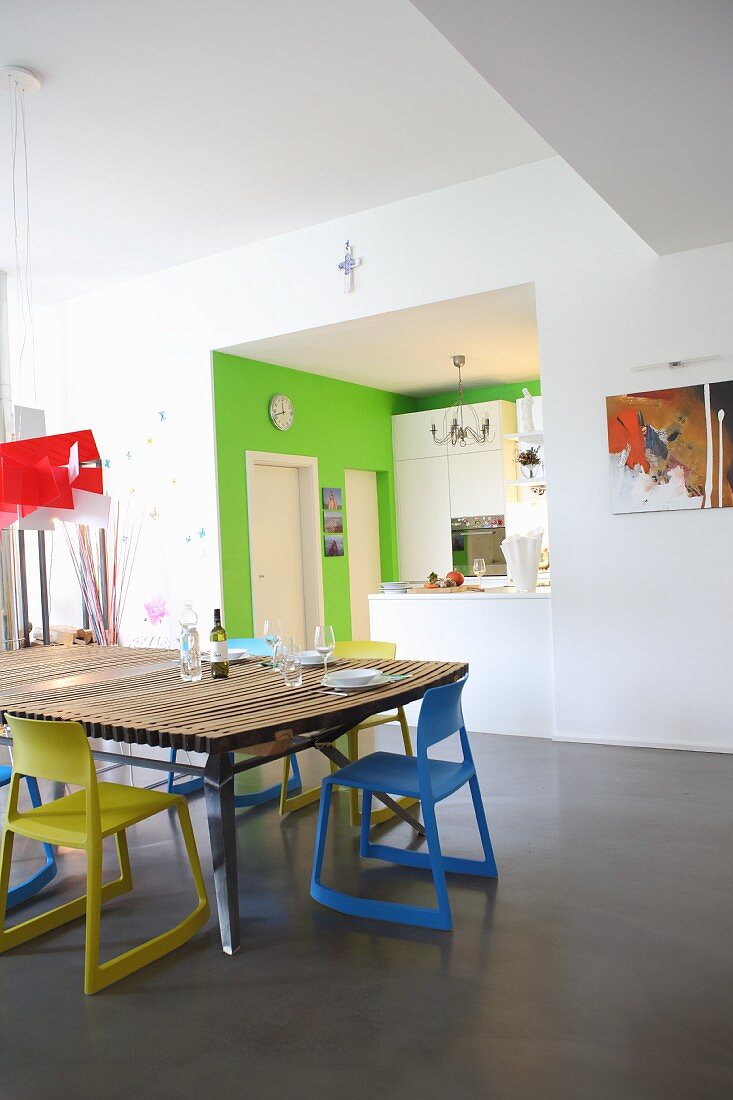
x=417 y=778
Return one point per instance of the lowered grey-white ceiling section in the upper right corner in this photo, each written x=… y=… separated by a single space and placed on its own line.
x=637 y=96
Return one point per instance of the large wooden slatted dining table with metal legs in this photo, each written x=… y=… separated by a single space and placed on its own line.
x=136 y=697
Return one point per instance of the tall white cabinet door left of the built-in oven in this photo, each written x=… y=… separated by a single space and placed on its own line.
x=423 y=518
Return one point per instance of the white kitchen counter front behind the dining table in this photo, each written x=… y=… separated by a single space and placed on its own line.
x=507 y=639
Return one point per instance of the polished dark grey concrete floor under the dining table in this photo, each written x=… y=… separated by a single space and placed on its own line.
x=600 y=965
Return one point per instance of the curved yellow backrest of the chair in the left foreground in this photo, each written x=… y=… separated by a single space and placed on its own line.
x=56 y=751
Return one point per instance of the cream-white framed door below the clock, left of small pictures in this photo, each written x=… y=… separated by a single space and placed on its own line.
x=277 y=549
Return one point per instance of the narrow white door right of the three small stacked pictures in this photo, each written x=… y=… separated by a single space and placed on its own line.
x=364 y=542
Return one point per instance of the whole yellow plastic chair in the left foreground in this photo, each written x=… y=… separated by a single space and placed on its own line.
x=60 y=752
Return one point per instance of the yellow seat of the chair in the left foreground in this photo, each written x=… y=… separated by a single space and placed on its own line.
x=64 y=821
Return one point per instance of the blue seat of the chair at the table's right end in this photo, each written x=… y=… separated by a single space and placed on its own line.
x=398 y=775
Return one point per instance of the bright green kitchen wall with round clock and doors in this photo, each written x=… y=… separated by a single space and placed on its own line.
x=343 y=425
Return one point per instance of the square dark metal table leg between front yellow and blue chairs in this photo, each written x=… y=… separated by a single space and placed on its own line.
x=220 y=793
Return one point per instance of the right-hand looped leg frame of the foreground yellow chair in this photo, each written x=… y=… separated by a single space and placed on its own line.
x=100 y=976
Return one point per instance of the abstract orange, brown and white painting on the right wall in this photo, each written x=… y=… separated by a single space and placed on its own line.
x=672 y=449
